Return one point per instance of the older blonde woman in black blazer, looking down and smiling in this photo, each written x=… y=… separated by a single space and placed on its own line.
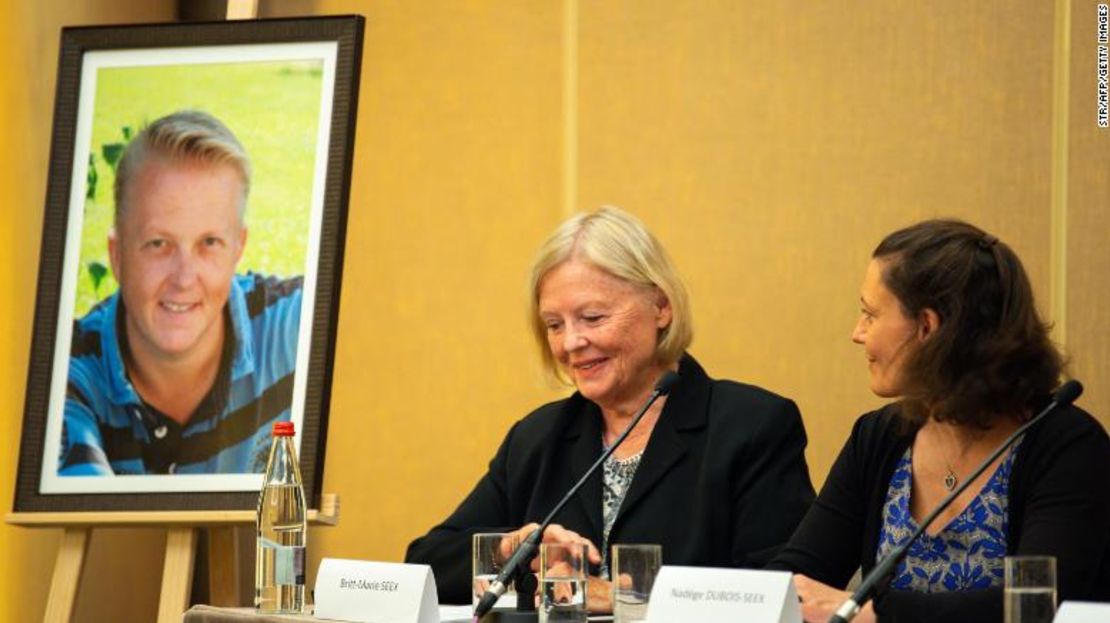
x=715 y=473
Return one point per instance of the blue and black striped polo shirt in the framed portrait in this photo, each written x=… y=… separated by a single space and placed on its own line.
x=108 y=429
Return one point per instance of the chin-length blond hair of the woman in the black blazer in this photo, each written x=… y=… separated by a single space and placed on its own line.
x=620 y=245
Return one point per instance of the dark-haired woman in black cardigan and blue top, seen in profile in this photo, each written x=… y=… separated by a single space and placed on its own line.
x=948 y=325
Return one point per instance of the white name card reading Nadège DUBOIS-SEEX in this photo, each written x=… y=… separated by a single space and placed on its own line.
x=720 y=596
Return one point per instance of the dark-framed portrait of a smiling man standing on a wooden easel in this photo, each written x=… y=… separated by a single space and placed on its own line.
x=191 y=263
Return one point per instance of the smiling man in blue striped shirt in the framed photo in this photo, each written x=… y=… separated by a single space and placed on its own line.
x=186 y=368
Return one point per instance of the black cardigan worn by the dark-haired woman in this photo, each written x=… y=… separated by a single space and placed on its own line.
x=1059 y=505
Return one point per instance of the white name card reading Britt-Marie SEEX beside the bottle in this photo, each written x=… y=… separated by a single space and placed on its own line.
x=376 y=592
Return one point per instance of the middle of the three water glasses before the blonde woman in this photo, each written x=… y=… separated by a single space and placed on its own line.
x=563 y=584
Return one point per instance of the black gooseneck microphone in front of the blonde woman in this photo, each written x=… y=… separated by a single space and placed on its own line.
x=518 y=566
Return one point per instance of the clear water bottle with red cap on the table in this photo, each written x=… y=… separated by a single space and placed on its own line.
x=279 y=567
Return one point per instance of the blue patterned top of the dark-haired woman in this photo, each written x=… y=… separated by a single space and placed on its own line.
x=967 y=555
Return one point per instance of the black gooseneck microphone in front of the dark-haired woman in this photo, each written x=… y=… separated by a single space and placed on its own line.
x=1065 y=396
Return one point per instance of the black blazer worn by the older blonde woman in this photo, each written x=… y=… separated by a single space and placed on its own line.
x=723 y=481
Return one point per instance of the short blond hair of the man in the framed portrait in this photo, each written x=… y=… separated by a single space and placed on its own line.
x=187 y=135
